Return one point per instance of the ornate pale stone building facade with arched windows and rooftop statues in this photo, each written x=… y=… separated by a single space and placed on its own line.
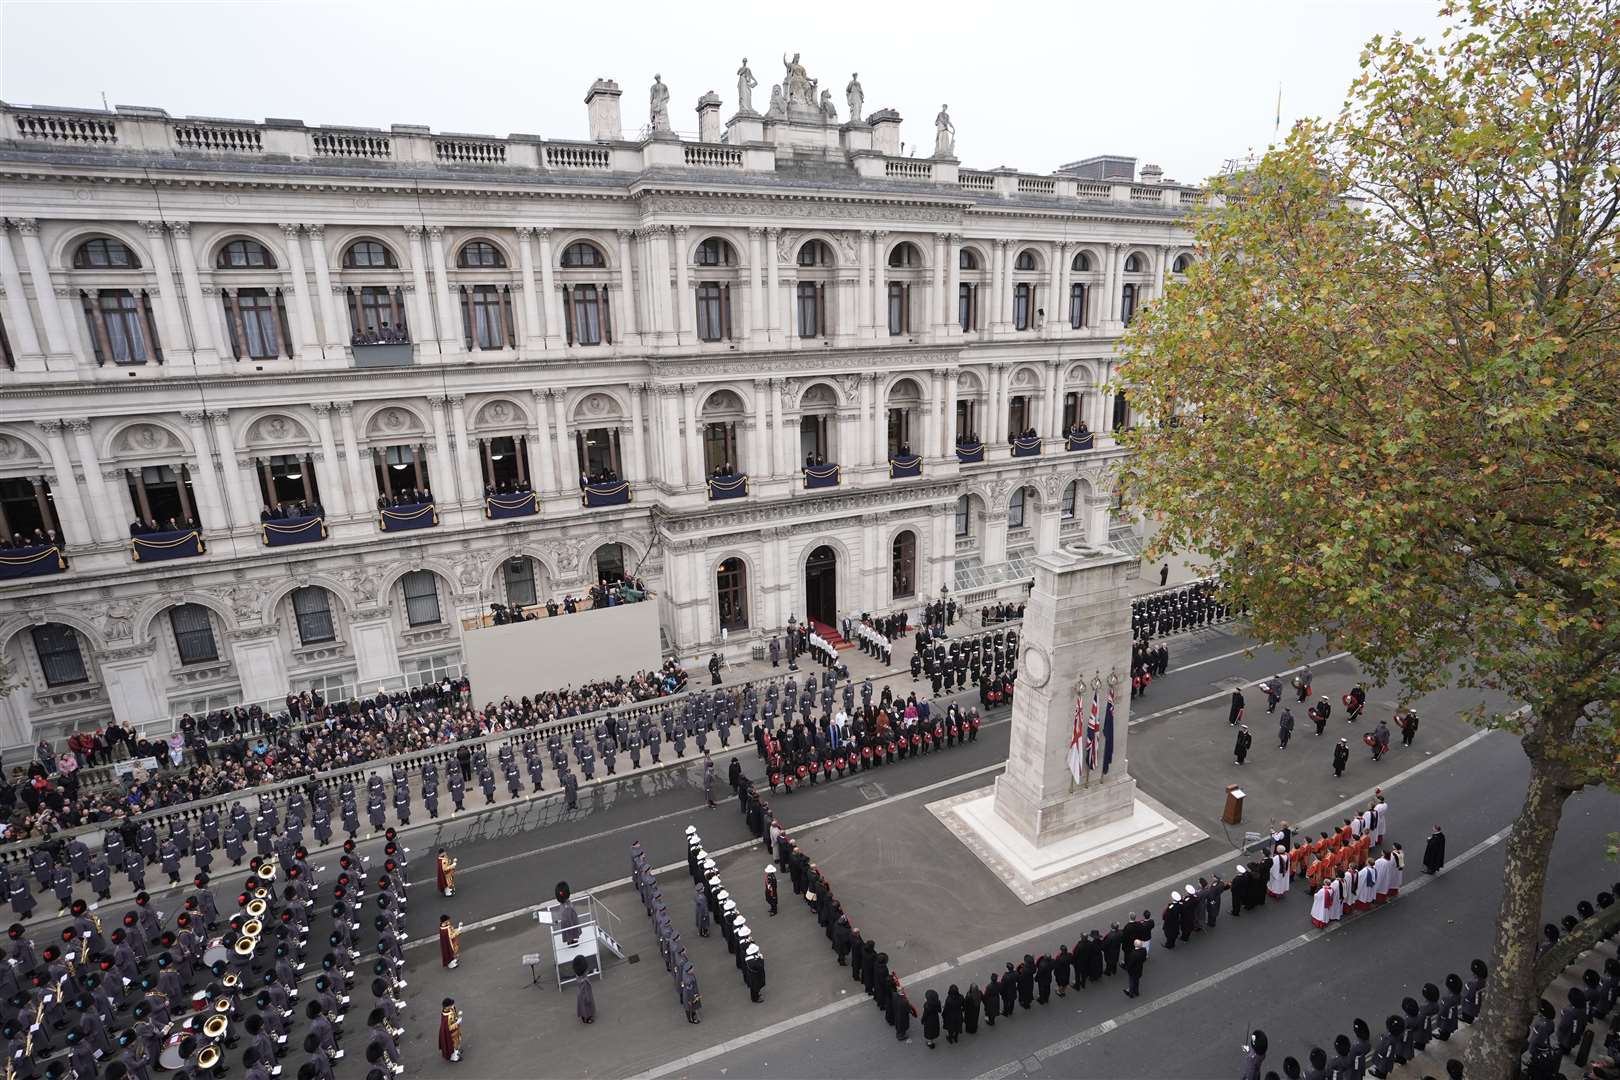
x=210 y=320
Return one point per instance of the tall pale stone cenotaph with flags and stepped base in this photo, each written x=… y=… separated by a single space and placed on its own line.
x=1067 y=810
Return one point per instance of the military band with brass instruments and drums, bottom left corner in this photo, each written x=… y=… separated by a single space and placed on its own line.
x=192 y=990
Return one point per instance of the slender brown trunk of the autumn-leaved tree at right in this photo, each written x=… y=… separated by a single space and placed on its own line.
x=1511 y=997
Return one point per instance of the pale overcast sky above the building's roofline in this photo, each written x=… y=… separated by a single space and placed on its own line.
x=1180 y=83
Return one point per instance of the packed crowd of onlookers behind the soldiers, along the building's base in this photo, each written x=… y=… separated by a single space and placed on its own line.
x=231 y=750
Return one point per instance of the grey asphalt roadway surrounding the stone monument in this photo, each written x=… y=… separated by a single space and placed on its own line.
x=945 y=919
